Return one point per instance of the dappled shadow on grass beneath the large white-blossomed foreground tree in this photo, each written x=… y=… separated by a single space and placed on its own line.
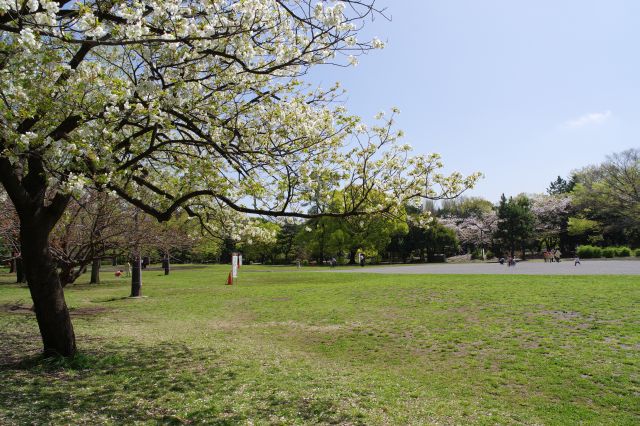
x=125 y=383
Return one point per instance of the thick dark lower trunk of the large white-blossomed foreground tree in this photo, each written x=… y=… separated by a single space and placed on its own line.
x=46 y=291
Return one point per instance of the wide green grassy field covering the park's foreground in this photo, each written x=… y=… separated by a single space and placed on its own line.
x=305 y=347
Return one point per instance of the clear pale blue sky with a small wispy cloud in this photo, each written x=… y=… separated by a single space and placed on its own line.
x=522 y=91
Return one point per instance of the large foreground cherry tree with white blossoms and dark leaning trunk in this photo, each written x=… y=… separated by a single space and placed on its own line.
x=186 y=106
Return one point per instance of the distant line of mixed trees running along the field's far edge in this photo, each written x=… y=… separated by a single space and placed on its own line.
x=597 y=206
